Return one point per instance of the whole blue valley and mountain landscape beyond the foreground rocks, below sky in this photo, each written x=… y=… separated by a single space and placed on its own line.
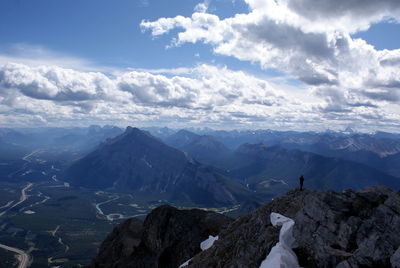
x=60 y=198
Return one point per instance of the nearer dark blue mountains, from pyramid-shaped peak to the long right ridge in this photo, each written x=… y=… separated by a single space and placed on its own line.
x=200 y=170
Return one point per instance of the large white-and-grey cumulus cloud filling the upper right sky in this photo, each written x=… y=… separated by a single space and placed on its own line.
x=308 y=40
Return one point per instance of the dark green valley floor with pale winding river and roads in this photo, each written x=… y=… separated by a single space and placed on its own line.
x=45 y=222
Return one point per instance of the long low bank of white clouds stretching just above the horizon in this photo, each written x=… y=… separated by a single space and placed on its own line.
x=203 y=95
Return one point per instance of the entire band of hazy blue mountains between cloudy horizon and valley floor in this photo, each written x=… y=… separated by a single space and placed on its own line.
x=208 y=167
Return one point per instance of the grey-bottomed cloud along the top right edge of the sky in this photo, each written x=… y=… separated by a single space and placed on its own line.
x=328 y=16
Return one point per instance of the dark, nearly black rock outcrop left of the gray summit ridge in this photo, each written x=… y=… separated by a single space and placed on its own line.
x=167 y=238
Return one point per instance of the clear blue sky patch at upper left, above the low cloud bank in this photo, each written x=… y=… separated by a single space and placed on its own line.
x=106 y=32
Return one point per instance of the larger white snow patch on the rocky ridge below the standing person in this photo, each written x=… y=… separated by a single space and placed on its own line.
x=281 y=254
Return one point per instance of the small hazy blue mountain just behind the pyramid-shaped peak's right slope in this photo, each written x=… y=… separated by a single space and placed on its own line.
x=203 y=148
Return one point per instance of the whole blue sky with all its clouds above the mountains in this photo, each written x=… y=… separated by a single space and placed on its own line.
x=225 y=64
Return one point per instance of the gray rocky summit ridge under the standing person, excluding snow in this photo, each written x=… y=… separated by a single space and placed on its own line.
x=349 y=229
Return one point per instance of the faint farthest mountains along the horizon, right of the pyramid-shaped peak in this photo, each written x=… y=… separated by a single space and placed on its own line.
x=380 y=150
